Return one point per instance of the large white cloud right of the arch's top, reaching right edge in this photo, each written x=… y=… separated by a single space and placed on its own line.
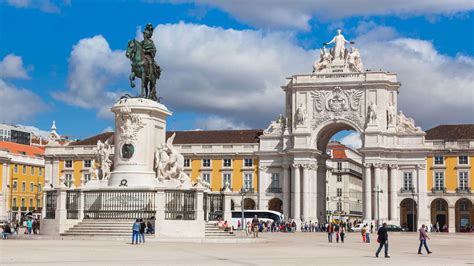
x=435 y=89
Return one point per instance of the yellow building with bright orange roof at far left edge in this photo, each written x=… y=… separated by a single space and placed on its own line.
x=22 y=177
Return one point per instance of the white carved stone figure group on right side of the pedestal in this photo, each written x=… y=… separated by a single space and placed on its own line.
x=169 y=163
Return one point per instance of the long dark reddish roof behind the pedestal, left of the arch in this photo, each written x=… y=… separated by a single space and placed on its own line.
x=194 y=137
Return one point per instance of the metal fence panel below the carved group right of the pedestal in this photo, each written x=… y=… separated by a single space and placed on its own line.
x=180 y=205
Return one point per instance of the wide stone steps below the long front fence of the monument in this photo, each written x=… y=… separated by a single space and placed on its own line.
x=102 y=228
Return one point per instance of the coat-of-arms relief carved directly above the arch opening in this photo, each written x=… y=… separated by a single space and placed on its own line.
x=337 y=104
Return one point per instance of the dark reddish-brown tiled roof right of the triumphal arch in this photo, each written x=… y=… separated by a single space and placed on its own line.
x=450 y=132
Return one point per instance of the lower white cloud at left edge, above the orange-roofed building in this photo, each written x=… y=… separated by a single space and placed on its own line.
x=18 y=104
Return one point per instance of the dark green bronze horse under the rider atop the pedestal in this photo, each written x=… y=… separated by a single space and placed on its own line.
x=143 y=69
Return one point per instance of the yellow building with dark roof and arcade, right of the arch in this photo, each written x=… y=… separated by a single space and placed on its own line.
x=449 y=176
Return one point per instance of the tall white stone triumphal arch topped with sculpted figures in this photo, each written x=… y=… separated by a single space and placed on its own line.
x=341 y=94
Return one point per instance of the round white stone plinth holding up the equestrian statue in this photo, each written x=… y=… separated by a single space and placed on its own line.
x=140 y=127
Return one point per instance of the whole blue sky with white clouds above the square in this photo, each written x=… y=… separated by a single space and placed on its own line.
x=250 y=54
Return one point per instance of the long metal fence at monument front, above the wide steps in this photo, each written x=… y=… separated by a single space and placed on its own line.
x=124 y=204
